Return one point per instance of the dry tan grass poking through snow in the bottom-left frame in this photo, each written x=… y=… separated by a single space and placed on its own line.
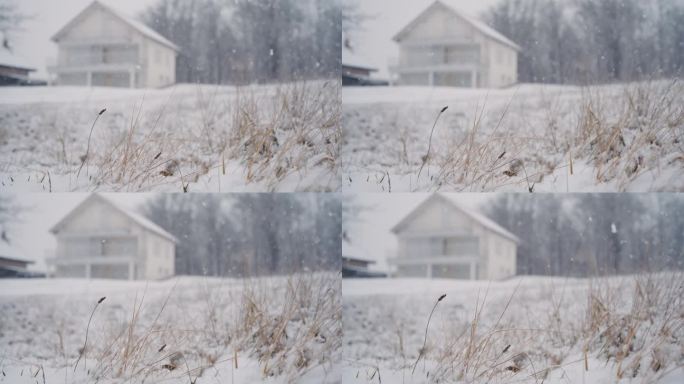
x=290 y=325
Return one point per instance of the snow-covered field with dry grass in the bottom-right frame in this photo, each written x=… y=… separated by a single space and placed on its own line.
x=524 y=330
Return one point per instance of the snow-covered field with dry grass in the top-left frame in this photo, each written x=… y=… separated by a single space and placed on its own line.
x=185 y=138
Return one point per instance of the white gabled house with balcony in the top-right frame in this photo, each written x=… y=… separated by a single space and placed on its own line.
x=444 y=47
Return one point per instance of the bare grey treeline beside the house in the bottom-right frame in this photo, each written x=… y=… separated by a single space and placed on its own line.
x=594 y=234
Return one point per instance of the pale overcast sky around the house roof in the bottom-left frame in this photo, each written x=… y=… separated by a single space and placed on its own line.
x=30 y=236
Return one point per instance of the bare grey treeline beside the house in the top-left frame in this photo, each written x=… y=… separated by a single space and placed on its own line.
x=235 y=42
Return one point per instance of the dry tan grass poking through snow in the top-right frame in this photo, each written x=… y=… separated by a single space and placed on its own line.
x=621 y=132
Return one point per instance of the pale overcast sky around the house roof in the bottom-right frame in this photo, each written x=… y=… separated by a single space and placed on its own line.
x=370 y=233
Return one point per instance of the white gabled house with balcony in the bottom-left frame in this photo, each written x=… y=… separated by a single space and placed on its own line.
x=100 y=239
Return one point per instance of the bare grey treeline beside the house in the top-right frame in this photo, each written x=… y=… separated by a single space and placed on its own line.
x=590 y=41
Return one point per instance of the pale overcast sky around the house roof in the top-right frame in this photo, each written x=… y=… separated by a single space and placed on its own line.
x=387 y=17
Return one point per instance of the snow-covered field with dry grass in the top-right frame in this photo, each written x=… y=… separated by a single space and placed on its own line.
x=542 y=138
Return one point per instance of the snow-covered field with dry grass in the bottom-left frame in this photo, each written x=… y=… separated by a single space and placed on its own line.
x=185 y=330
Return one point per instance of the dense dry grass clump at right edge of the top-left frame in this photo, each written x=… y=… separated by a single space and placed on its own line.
x=276 y=141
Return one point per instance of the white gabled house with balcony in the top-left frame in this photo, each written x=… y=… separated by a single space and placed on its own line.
x=103 y=47
